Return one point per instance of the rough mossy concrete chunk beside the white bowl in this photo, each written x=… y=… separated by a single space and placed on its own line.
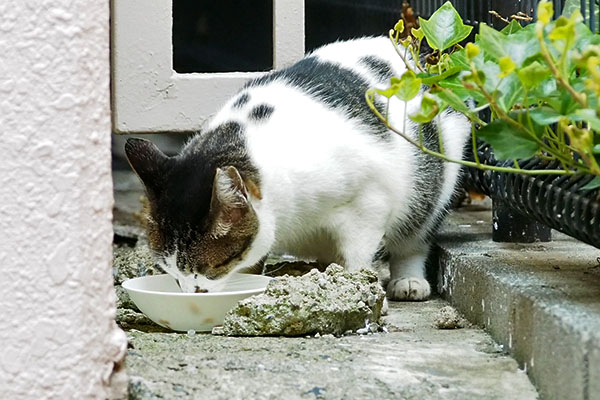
x=330 y=302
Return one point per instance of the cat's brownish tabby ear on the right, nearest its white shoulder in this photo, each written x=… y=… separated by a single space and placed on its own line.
x=229 y=202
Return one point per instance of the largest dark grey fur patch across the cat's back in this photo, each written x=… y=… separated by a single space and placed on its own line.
x=334 y=86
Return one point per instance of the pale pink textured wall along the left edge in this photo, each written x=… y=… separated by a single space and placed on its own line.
x=58 y=339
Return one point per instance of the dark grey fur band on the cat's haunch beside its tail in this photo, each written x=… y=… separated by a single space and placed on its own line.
x=428 y=181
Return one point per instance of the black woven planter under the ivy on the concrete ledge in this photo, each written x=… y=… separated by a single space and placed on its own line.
x=556 y=201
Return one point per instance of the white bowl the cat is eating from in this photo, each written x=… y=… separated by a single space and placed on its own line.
x=160 y=299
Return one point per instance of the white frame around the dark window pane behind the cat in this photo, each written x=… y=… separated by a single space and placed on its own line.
x=149 y=96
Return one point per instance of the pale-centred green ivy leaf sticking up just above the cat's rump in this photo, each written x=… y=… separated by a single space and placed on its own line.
x=445 y=28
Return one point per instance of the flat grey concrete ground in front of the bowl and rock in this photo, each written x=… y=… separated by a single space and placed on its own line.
x=415 y=360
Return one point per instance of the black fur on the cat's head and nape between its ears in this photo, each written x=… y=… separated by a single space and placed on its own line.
x=187 y=179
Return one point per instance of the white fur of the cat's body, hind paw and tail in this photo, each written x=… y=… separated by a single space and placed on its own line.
x=332 y=191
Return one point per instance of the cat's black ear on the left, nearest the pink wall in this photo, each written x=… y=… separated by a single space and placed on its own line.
x=146 y=160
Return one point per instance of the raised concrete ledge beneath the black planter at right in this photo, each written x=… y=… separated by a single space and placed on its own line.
x=540 y=301
